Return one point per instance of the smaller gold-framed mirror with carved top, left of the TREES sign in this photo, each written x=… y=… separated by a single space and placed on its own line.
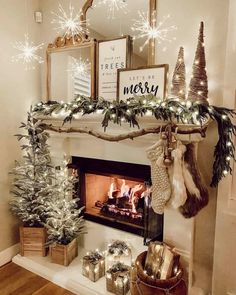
x=71 y=69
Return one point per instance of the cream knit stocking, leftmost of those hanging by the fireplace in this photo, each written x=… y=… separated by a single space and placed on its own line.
x=161 y=189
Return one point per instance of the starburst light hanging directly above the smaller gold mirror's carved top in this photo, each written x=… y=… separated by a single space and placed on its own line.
x=70 y=24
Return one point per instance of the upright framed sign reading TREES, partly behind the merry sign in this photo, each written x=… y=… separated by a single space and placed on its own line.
x=112 y=55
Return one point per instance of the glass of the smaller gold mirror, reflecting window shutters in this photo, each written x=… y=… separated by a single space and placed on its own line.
x=71 y=73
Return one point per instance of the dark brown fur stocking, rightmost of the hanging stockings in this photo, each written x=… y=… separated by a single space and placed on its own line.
x=197 y=199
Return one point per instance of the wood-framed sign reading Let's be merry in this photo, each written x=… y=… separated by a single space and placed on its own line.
x=142 y=81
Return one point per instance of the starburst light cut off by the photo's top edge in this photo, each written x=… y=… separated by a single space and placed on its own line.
x=113 y=6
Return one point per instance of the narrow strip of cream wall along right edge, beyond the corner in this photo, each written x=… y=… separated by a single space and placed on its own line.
x=224 y=277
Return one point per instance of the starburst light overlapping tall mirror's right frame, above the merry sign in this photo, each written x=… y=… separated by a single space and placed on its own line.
x=151 y=30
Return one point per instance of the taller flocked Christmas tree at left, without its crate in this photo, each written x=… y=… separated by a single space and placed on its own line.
x=34 y=176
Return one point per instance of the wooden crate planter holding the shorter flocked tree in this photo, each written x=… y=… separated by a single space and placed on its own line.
x=64 y=254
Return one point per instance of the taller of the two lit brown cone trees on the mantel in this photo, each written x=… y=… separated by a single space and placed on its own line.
x=198 y=88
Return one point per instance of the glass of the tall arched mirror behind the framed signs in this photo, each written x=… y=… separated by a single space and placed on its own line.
x=107 y=20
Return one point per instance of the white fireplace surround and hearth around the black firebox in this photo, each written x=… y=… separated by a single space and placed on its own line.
x=178 y=231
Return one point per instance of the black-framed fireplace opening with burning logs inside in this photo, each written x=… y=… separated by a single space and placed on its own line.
x=117 y=194
